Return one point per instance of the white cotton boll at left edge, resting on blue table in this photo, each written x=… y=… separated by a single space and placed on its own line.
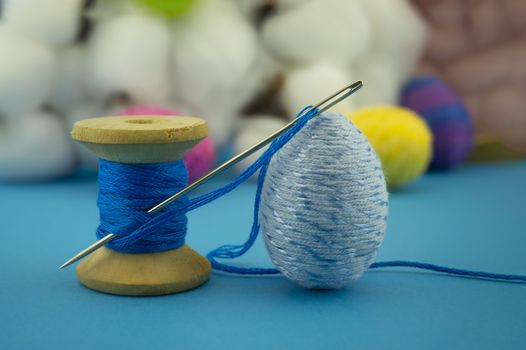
x=34 y=147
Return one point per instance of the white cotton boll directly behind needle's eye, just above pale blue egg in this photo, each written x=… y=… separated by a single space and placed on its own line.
x=309 y=85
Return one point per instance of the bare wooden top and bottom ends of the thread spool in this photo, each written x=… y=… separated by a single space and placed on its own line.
x=140 y=140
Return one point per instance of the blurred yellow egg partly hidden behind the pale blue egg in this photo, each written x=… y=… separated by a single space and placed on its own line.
x=401 y=139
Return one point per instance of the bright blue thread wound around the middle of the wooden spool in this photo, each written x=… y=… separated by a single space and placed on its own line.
x=127 y=191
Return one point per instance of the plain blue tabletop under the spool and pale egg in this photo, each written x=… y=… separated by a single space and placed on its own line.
x=472 y=218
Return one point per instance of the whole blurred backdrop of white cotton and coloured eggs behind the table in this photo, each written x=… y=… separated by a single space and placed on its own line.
x=445 y=80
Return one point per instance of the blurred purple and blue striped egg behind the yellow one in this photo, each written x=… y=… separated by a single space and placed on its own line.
x=447 y=117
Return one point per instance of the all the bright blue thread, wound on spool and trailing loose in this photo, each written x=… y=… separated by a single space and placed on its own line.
x=125 y=196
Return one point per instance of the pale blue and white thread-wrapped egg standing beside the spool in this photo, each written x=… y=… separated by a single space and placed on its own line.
x=324 y=204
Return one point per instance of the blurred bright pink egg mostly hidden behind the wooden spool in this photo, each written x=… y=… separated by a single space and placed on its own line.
x=199 y=160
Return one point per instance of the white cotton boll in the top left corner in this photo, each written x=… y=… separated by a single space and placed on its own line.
x=55 y=23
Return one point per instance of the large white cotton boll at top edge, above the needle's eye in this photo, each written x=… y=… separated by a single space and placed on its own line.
x=330 y=30
